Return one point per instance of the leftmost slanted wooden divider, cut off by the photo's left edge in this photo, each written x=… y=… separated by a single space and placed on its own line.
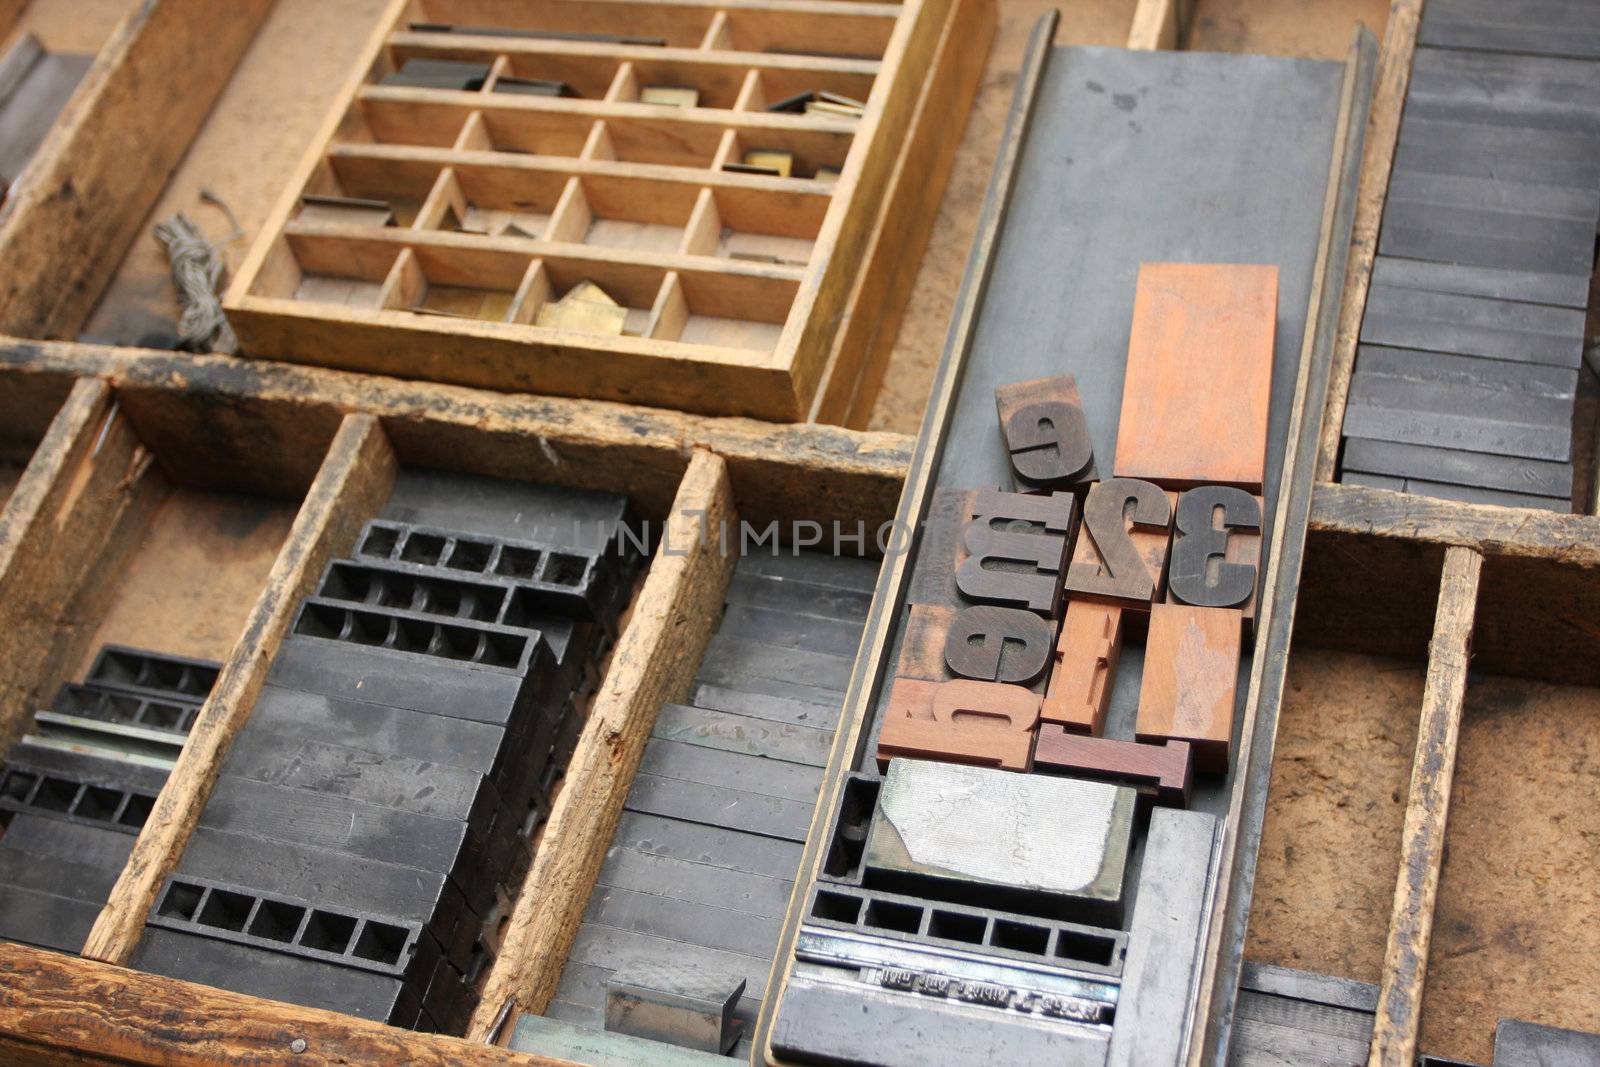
x=86 y=484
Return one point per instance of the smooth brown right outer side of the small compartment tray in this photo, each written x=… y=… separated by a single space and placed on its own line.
x=863 y=345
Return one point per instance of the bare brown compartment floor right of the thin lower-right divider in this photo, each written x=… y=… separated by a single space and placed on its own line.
x=1514 y=930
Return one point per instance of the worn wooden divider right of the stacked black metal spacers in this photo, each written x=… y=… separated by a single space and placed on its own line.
x=654 y=665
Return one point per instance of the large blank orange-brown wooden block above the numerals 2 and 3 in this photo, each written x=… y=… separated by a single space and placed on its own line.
x=1199 y=382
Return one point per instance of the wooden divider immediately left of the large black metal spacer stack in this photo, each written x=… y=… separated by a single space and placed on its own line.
x=354 y=481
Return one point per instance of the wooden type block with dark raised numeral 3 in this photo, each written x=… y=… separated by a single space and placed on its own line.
x=1217 y=549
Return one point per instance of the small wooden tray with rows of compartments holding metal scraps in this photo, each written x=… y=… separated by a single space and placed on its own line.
x=660 y=202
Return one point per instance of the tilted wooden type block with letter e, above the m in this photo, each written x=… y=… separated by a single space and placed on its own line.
x=1047 y=434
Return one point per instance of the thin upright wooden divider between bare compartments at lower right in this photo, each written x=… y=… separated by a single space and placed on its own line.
x=1428 y=812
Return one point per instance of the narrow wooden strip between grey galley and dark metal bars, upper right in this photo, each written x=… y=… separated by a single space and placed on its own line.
x=1378 y=156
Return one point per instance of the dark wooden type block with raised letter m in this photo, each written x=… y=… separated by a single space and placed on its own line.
x=1017 y=549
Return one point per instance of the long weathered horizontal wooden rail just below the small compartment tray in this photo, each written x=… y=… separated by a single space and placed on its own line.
x=276 y=420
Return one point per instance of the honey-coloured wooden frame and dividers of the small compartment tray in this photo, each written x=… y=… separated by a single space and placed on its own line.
x=826 y=361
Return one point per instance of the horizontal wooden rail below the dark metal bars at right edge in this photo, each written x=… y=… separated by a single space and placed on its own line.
x=1489 y=529
